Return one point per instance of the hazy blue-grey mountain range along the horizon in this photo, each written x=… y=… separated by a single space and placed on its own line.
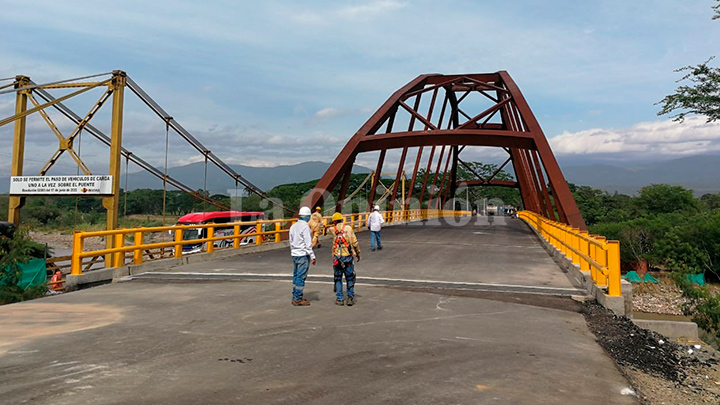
x=699 y=173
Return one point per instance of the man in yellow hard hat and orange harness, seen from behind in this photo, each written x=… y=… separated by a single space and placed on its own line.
x=345 y=248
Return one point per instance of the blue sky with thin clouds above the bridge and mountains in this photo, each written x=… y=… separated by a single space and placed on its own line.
x=279 y=82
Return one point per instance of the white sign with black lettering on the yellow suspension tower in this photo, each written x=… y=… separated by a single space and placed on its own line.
x=61 y=185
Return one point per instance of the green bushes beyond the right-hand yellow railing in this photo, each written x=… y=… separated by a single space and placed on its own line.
x=670 y=229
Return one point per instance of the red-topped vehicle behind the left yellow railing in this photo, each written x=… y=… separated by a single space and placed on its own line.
x=218 y=217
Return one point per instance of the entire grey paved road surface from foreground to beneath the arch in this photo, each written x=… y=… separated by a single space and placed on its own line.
x=241 y=342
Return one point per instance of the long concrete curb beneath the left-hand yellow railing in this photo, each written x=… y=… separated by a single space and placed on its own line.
x=112 y=274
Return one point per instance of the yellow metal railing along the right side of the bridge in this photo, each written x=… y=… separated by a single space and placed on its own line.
x=593 y=253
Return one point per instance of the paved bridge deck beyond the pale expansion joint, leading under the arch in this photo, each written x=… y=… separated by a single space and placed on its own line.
x=504 y=253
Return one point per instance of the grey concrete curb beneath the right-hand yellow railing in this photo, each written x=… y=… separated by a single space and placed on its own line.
x=621 y=306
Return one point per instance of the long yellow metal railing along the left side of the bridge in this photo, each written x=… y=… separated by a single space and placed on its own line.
x=133 y=240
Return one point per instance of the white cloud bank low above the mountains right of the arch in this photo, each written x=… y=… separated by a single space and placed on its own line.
x=670 y=138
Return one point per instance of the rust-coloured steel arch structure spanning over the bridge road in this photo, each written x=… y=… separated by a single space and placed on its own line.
x=506 y=122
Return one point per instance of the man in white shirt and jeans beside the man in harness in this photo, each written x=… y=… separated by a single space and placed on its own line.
x=302 y=254
